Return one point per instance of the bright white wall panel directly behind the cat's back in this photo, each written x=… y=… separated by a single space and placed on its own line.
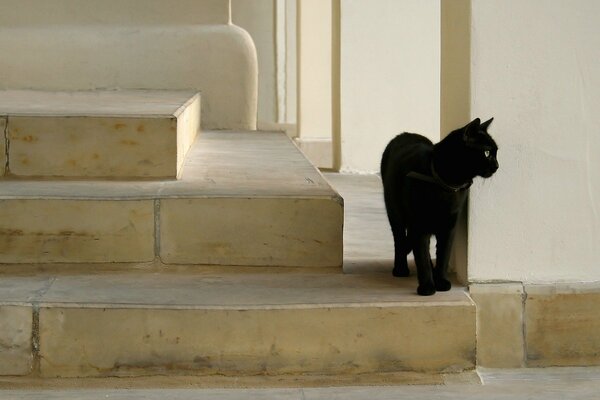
x=390 y=76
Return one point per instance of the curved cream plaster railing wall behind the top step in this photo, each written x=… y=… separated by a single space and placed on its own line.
x=133 y=44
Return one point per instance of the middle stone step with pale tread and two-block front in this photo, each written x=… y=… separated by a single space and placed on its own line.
x=244 y=198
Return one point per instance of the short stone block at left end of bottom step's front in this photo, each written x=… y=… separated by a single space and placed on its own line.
x=16 y=356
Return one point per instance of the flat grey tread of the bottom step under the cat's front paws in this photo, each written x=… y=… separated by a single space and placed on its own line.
x=237 y=289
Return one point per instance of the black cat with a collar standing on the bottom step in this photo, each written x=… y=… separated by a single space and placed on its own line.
x=425 y=188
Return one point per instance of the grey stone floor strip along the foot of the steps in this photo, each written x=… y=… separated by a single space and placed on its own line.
x=543 y=384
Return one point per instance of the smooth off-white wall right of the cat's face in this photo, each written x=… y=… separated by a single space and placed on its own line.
x=536 y=69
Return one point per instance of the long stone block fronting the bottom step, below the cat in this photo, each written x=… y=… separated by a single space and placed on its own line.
x=78 y=341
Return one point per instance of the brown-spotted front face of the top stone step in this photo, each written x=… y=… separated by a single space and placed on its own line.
x=92 y=147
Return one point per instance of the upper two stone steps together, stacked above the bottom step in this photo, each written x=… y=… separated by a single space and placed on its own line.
x=222 y=210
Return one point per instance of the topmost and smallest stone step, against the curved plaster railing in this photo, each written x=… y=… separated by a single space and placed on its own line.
x=97 y=134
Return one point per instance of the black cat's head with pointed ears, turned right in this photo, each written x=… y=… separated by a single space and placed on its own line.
x=479 y=147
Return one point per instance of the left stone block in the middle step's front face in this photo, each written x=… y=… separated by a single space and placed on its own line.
x=49 y=230
